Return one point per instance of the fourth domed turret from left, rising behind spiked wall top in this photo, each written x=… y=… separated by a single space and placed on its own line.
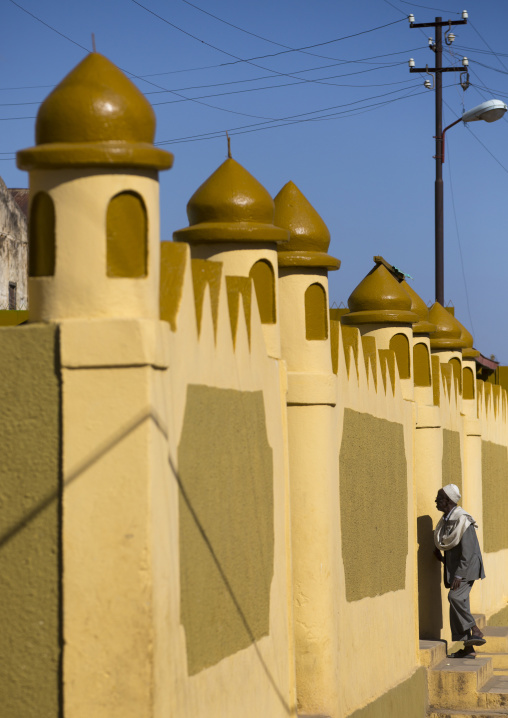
x=381 y=308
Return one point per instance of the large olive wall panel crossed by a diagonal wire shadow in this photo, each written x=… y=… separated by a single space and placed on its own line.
x=226 y=525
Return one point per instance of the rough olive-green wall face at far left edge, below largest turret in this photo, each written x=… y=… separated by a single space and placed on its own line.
x=30 y=550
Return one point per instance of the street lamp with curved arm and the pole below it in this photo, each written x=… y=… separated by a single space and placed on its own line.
x=489 y=111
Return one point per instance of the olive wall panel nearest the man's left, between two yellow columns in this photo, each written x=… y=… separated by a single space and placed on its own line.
x=373 y=505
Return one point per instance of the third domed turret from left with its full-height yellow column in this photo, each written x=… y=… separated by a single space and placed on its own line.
x=313 y=449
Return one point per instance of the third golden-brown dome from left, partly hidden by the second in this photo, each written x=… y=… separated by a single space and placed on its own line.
x=309 y=237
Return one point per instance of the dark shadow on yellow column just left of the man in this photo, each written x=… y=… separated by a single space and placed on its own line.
x=430 y=609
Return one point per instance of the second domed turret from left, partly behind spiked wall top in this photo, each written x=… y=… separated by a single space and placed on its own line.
x=231 y=220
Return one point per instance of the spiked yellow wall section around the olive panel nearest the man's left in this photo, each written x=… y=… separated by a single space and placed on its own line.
x=374 y=420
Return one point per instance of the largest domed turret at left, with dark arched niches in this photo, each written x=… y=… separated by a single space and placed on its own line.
x=94 y=199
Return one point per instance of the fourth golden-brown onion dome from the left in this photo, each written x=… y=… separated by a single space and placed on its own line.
x=379 y=299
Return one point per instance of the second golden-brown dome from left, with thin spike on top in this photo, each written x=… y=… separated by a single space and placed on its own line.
x=231 y=205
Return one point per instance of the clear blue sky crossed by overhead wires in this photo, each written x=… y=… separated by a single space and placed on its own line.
x=342 y=117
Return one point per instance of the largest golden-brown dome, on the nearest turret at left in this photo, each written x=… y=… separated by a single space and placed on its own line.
x=94 y=116
